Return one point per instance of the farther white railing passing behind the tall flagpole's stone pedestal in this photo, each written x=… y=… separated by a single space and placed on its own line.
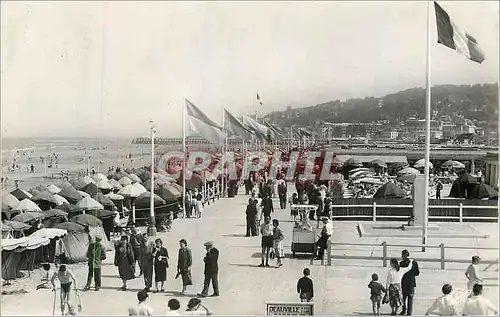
x=374 y=214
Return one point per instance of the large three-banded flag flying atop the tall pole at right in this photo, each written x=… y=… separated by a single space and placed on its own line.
x=450 y=35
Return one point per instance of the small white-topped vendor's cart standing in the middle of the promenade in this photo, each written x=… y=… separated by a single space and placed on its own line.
x=304 y=235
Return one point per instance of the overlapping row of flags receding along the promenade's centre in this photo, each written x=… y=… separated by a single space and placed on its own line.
x=248 y=129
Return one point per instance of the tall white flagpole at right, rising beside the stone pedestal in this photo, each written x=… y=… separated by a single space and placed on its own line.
x=427 y=130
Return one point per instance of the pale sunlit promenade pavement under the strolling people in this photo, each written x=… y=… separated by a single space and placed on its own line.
x=245 y=287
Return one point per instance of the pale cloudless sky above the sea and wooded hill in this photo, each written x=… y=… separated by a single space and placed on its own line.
x=75 y=69
